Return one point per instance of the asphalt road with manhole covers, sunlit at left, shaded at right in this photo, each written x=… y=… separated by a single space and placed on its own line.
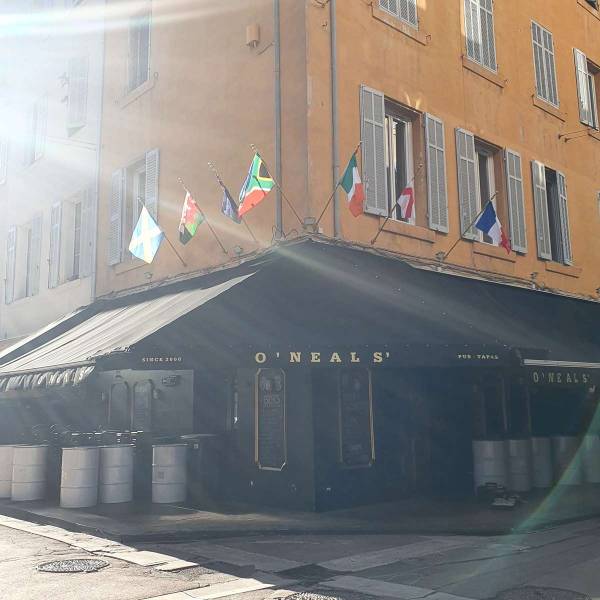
x=558 y=564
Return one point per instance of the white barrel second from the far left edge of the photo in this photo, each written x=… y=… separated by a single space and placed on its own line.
x=29 y=473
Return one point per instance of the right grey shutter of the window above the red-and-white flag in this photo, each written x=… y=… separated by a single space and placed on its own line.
x=437 y=191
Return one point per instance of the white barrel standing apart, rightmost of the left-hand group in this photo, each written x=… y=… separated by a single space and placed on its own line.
x=169 y=481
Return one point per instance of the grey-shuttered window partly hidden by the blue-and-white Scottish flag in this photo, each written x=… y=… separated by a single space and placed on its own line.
x=132 y=188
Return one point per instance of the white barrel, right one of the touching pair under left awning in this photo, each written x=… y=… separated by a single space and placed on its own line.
x=116 y=474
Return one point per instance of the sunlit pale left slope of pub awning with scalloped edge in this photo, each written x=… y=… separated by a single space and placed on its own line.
x=70 y=358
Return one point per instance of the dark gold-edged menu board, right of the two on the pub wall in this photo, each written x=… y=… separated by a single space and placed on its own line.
x=356 y=422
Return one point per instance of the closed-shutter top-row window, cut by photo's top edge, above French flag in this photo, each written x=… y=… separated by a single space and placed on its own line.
x=479 y=32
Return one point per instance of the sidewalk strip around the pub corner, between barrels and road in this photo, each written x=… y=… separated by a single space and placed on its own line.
x=133 y=523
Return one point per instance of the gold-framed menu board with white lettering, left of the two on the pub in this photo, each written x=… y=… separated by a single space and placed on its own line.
x=270 y=449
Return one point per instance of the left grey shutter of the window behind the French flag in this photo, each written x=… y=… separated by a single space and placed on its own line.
x=467 y=182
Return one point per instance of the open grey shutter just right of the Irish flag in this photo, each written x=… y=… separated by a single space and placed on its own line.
x=373 y=137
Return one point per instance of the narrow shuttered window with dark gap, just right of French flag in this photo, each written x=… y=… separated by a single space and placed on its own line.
x=551 y=214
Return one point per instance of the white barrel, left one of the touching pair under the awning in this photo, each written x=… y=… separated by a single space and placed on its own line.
x=79 y=477
